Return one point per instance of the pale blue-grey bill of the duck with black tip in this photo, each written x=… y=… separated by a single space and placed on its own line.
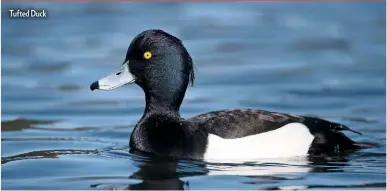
x=115 y=80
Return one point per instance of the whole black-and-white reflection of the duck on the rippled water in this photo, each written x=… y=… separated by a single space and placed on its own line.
x=166 y=174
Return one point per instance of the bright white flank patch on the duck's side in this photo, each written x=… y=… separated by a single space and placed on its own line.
x=293 y=139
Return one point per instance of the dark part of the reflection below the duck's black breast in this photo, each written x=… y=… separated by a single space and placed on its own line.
x=159 y=173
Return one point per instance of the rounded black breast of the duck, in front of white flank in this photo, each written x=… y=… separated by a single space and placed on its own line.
x=169 y=136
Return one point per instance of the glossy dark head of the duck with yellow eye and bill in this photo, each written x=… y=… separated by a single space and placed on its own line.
x=159 y=63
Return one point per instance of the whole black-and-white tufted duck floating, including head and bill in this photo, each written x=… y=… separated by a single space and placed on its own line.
x=161 y=66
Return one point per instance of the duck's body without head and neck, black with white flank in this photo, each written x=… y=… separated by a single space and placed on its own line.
x=238 y=134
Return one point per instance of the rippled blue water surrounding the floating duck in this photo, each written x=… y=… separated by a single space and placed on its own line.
x=322 y=59
